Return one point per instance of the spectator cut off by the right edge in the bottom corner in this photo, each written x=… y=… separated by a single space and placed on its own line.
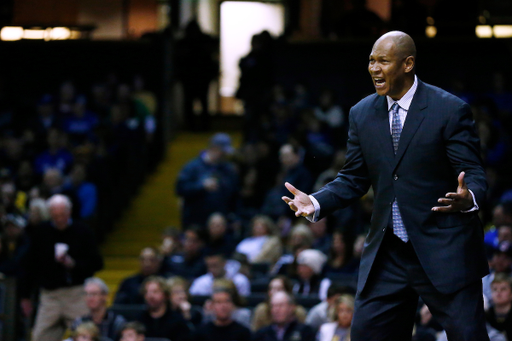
x=499 y=315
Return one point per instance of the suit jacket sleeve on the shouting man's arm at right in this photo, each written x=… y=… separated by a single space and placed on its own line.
x=463 y=150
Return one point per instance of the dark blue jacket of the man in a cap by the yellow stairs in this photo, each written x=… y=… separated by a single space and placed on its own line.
x=199 y=203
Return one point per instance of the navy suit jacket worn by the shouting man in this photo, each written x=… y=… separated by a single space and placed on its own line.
x=437 y=142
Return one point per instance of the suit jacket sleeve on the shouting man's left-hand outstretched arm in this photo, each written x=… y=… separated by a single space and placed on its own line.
x=352 y=182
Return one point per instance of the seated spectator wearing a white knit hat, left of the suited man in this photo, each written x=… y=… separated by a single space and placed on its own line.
x=309 y=267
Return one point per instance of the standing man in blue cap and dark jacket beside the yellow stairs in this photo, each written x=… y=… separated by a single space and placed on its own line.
x=208 y=183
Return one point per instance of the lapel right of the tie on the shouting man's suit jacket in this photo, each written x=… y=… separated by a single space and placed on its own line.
x=415 y=116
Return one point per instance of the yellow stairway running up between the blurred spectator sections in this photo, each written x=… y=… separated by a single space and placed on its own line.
x=155 y=207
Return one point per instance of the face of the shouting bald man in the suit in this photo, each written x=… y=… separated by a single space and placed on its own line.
x=387 y=68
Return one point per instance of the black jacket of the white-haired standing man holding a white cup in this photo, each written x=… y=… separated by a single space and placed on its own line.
x=44 y=271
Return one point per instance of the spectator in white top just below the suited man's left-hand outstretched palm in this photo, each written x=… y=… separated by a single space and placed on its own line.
x=265 y=245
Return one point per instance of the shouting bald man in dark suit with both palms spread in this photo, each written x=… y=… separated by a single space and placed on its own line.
x=414 y=143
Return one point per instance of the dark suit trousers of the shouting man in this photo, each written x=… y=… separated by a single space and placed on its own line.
x=386 y=308
